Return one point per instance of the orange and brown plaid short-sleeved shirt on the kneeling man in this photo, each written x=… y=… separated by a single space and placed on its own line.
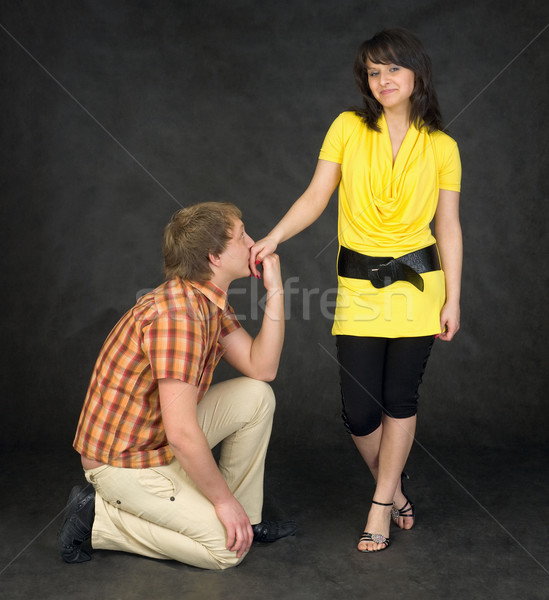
x=172 y=332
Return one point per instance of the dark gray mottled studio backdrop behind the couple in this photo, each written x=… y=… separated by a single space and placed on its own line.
x=115 y=114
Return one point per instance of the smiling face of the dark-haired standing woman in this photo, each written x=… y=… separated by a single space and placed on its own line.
x=390 y=84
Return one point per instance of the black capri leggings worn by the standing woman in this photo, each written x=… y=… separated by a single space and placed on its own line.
x=380 y=375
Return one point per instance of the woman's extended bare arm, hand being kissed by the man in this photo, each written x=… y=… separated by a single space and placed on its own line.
x=305 y=210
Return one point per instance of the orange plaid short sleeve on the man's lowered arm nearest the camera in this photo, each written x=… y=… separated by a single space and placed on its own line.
x=174 y=347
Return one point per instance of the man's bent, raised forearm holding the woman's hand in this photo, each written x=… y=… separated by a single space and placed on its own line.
x=259 y=357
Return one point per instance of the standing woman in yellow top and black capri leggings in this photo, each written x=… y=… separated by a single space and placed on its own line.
x=398 y=286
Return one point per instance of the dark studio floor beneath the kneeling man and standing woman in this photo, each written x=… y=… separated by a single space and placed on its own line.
x=481 y=533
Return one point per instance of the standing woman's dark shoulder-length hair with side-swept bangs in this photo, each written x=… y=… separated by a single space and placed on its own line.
x=400 y=47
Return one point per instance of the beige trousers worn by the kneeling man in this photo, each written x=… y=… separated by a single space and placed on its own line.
x=160 y=513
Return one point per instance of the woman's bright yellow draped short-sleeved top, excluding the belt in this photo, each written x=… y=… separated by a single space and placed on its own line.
x=385 y=209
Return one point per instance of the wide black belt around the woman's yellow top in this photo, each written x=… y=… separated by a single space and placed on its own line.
x=384 y=270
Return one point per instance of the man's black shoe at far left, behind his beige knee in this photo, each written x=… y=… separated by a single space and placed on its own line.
x=77 y=526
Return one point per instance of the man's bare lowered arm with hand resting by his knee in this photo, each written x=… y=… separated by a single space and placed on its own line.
x=178 y=401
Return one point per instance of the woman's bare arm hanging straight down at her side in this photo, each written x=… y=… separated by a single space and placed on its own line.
x=450 y=244
